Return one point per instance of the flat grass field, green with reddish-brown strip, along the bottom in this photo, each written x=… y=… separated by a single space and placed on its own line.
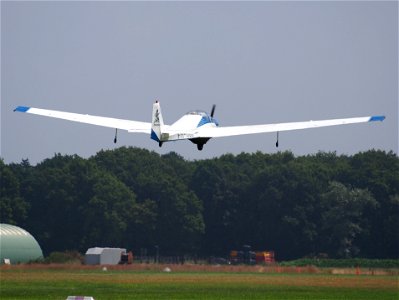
x=143 y=282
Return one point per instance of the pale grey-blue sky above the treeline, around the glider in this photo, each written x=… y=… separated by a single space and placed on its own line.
x=259 y=62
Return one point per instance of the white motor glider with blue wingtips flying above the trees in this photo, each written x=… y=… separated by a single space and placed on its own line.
x=196 y=126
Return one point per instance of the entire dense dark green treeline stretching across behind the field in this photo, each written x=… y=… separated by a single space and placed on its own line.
x=324 y=205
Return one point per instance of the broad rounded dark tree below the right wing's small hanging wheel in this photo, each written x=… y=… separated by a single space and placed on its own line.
x=281 y=211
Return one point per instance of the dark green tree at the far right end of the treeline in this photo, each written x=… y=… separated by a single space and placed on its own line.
x=378 y=171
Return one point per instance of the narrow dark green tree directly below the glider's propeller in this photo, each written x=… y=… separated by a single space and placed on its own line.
x=217 y=183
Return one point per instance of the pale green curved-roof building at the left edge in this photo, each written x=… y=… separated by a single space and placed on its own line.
x=17 y=245
